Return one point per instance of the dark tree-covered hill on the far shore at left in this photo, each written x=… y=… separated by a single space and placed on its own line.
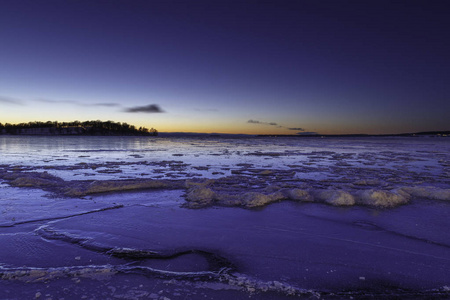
x=76 y=128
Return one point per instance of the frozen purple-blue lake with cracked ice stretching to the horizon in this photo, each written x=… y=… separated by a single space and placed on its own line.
x=224 y=218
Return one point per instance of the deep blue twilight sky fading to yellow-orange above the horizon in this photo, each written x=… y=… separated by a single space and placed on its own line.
x=253 y=67
